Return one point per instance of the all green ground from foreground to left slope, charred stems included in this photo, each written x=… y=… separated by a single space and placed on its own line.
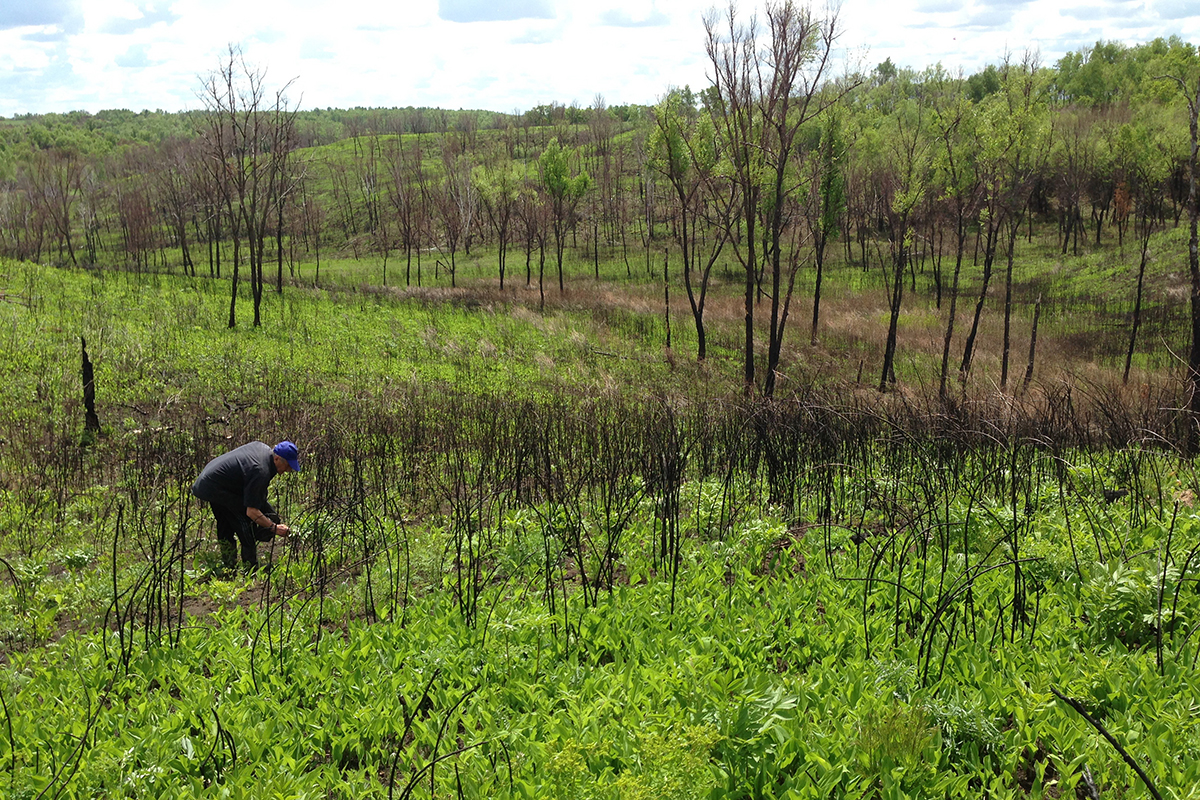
x=469 y=460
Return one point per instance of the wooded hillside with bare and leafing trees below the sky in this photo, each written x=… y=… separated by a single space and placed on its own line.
x=776 y=161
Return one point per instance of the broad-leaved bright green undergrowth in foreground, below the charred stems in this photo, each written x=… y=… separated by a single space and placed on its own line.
x=767 y=670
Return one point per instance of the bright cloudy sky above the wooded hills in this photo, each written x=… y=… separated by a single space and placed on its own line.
x=501 y=56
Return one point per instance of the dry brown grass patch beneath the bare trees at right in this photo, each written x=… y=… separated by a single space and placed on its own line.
x=1071 y=362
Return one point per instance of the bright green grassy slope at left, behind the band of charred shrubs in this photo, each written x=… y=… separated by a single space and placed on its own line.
x=157 y=340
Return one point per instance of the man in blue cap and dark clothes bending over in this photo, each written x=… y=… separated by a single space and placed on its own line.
x=235 y=485
